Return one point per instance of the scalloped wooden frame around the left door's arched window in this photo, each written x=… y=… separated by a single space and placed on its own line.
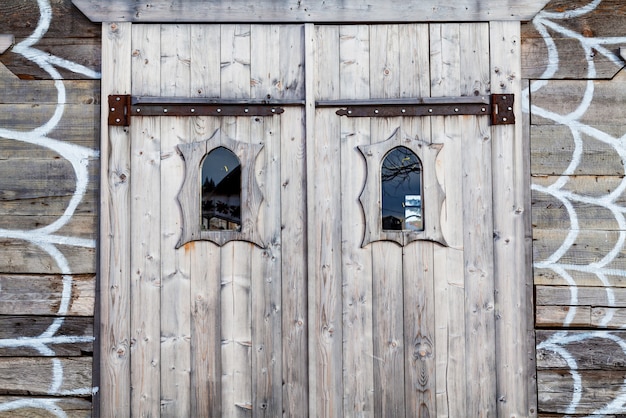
x=189 y=196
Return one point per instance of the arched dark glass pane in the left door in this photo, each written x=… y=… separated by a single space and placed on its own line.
x=221 y=191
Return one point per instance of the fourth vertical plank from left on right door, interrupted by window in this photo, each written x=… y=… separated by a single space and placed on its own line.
x=418 y=257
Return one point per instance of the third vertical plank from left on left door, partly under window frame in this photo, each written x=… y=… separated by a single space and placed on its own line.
x=175 y=270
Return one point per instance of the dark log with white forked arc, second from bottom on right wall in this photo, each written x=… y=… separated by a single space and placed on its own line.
x=589 y=350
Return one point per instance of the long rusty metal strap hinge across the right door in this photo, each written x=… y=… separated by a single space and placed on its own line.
x=498 y=106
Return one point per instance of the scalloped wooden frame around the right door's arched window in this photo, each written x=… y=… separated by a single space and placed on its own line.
x=433 y=195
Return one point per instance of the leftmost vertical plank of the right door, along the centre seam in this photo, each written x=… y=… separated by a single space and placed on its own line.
x=324 y=243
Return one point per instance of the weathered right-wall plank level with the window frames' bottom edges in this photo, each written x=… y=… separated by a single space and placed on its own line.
x=590 y=251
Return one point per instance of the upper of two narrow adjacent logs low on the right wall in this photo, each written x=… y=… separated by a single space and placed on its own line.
x=583 y=296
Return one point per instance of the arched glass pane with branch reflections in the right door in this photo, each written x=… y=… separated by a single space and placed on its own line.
x=401 y=177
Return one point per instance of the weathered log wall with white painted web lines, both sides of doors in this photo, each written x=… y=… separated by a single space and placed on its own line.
x=49 y=142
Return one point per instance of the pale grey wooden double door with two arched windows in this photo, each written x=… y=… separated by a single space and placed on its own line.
x=311 y=320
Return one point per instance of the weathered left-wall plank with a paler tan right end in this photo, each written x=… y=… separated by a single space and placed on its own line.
x=42 y=295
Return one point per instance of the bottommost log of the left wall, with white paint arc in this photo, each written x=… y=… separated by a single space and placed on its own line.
x=13 y=406
